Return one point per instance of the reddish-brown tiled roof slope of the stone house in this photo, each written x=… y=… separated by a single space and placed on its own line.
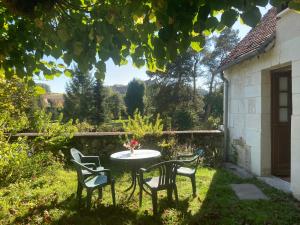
x=254 y=39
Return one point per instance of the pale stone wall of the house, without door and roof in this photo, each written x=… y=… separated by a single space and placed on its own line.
x=250 y=102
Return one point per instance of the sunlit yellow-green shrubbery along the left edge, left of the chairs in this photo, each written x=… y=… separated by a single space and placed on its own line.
x=18 y=158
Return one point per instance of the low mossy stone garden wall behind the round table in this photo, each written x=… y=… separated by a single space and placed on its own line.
x=105 y=143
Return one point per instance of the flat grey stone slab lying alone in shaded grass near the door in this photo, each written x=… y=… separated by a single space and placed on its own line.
x=248 y=192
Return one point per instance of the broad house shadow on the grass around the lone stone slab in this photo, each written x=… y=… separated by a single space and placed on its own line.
x=221 y=205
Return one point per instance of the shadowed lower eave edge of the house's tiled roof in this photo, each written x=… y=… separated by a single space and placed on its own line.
x=249 y=55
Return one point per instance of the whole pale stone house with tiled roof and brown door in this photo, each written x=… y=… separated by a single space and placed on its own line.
x=262 y=98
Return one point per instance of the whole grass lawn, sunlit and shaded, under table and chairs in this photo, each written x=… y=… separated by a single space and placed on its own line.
x=50 y=199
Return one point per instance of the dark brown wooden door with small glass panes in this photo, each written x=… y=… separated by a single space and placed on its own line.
x=281 y=111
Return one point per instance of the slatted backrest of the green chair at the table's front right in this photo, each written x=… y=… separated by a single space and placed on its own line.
x=167 y=173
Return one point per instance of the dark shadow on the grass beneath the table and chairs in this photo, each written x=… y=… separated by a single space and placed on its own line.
x=104 y=214
